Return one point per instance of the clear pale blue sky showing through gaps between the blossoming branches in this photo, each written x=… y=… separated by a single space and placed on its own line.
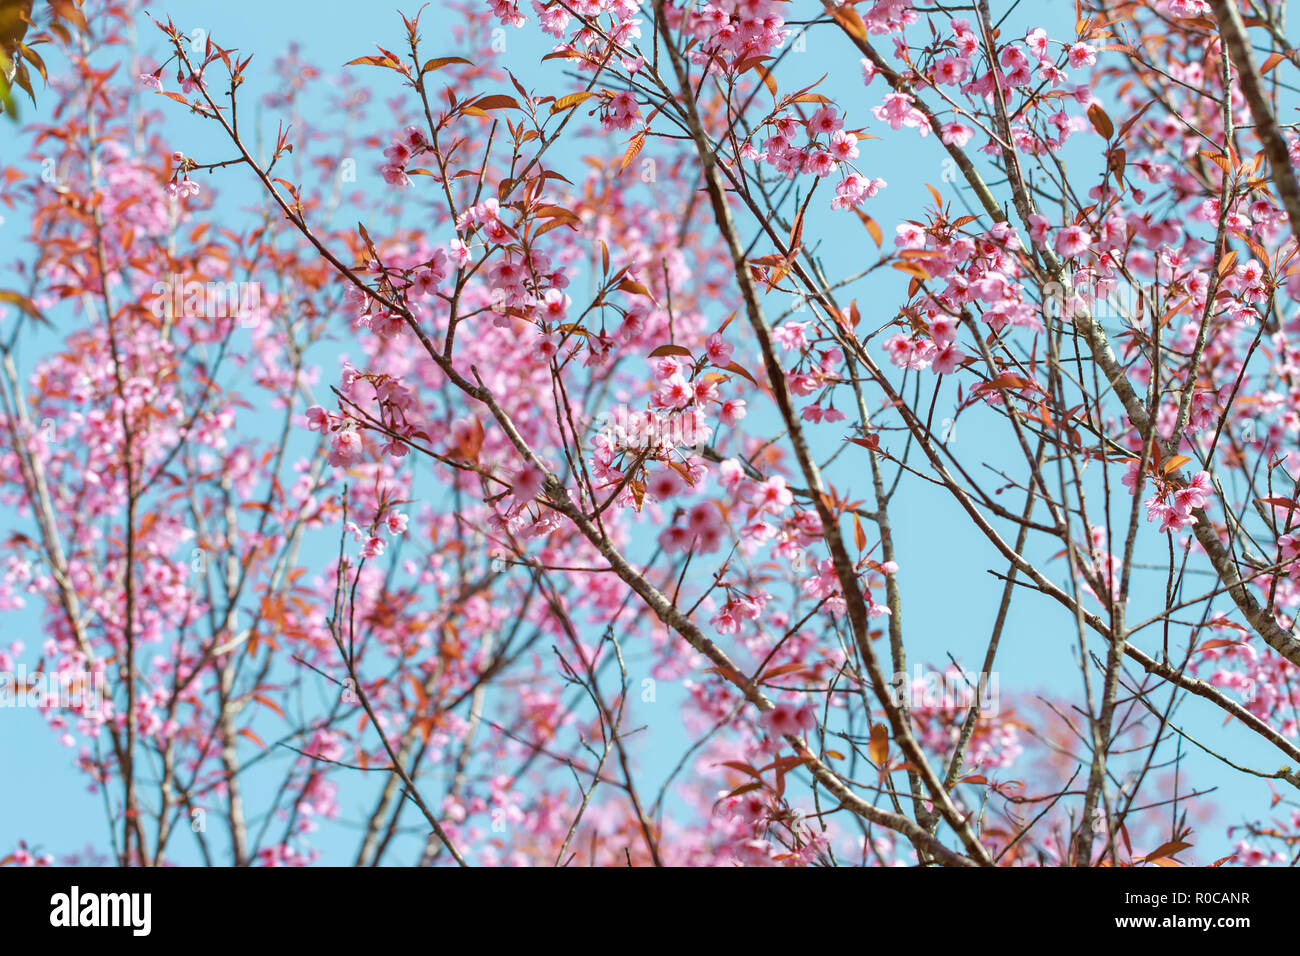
x=950 y=602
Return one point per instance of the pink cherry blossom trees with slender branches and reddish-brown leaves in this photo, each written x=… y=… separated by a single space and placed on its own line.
x=400 y=508
